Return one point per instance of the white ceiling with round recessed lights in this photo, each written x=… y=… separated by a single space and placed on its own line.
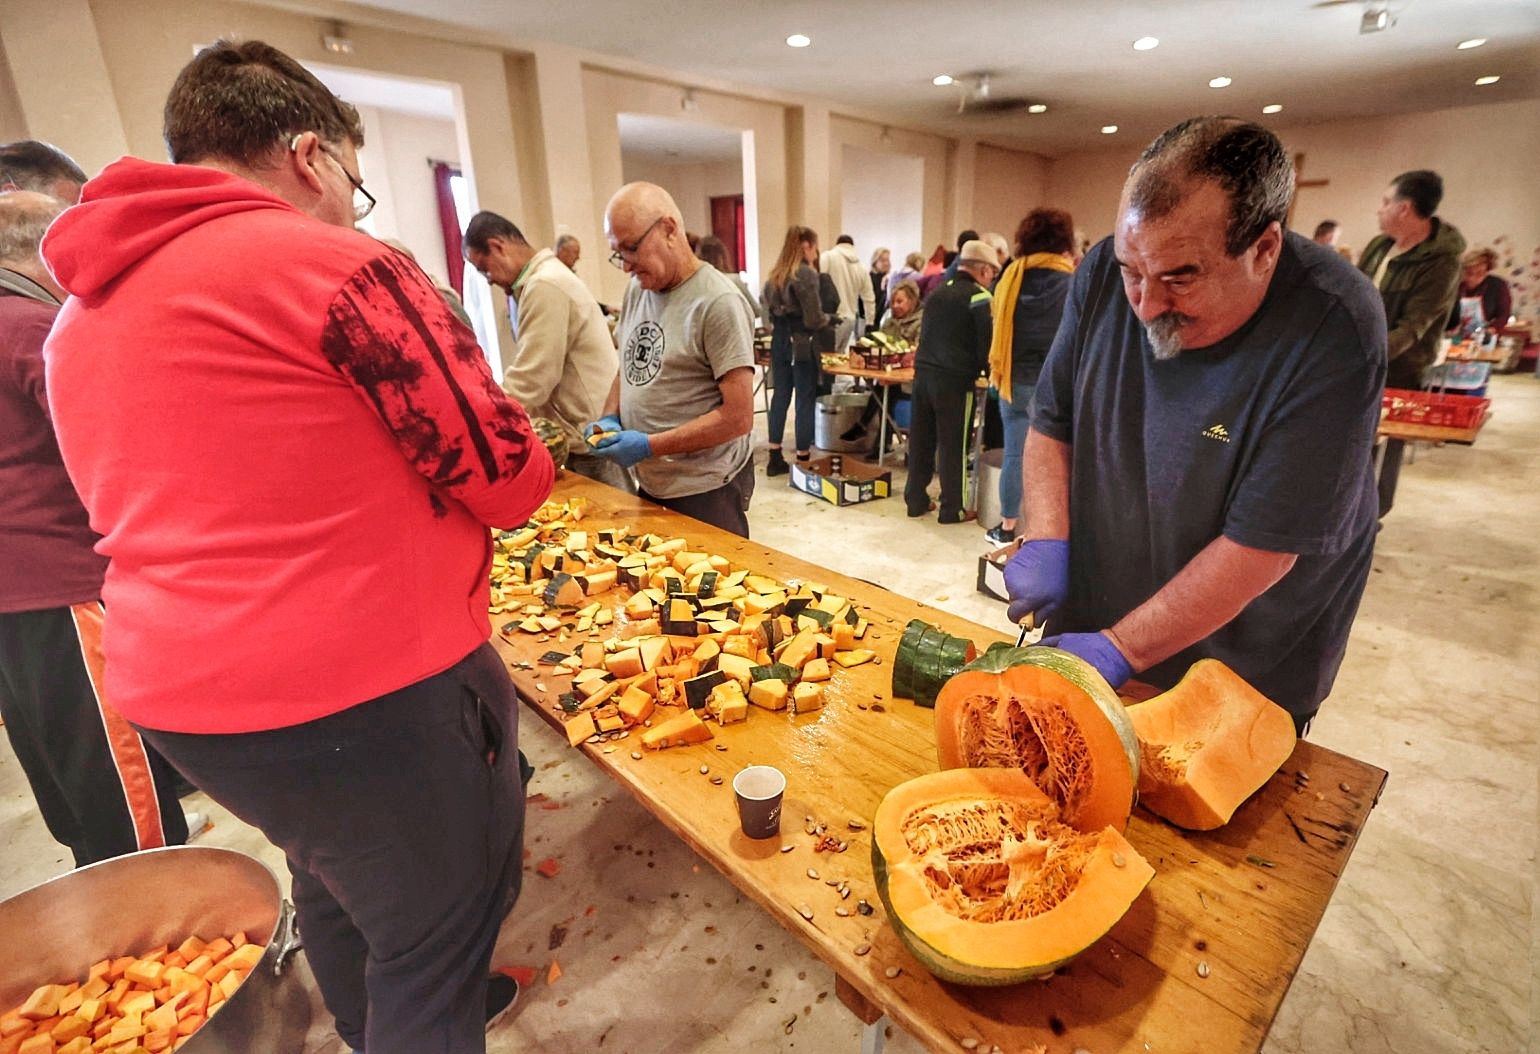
x=879 y=56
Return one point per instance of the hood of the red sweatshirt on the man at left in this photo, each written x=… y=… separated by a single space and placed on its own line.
x=133 y=209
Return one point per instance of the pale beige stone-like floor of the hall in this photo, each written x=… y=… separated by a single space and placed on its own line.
x=1430 y=945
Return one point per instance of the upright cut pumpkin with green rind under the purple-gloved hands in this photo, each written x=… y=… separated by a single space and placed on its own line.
x=1051 y=716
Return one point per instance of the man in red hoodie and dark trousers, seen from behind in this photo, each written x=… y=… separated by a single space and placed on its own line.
x=292 y=451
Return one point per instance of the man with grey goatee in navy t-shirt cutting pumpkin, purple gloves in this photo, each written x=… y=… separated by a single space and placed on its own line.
x=1199 y=471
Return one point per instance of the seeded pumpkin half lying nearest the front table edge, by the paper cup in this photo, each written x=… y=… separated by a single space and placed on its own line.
x=986 y=885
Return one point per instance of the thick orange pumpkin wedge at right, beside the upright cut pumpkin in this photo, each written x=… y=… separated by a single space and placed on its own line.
x=1208 y=745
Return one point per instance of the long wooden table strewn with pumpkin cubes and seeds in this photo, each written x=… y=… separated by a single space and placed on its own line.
x=1245 y=899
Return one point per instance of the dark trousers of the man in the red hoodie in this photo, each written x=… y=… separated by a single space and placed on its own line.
x=403 y=821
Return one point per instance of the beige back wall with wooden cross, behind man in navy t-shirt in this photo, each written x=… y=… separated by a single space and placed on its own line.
x=1487 y=155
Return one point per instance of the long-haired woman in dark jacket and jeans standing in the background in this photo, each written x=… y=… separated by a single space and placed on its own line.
x=797 y=317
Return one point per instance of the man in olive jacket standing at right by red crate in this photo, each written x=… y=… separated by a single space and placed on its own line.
x=1416 y=266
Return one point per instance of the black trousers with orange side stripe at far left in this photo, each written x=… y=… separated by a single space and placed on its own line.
x=101 y=790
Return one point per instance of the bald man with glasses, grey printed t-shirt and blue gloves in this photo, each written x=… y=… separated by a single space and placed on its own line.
x=681 y=408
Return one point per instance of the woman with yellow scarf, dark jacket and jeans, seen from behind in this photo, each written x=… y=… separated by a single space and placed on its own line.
x=1029 y=301
